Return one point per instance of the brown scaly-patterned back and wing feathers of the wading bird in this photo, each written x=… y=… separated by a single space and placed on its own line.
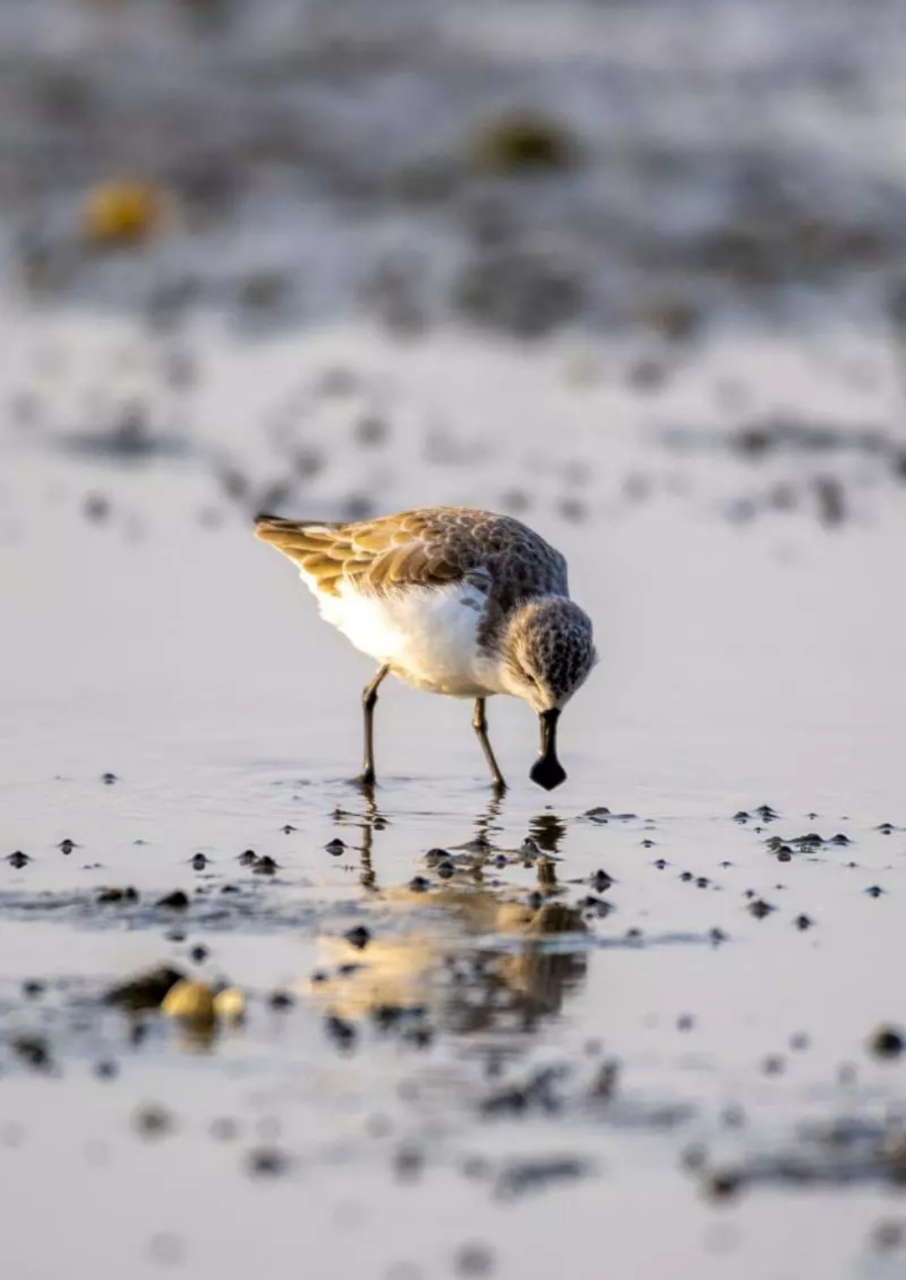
x=425 y=547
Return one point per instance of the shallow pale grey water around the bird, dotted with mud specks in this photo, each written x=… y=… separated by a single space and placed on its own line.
x=528 y=1064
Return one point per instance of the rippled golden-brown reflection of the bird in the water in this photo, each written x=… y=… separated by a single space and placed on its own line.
x=482 y=939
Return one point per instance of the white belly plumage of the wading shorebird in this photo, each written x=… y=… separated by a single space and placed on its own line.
x=427 y=634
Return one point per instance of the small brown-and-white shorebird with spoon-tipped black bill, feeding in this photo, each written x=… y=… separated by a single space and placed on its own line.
x=452 y=601
